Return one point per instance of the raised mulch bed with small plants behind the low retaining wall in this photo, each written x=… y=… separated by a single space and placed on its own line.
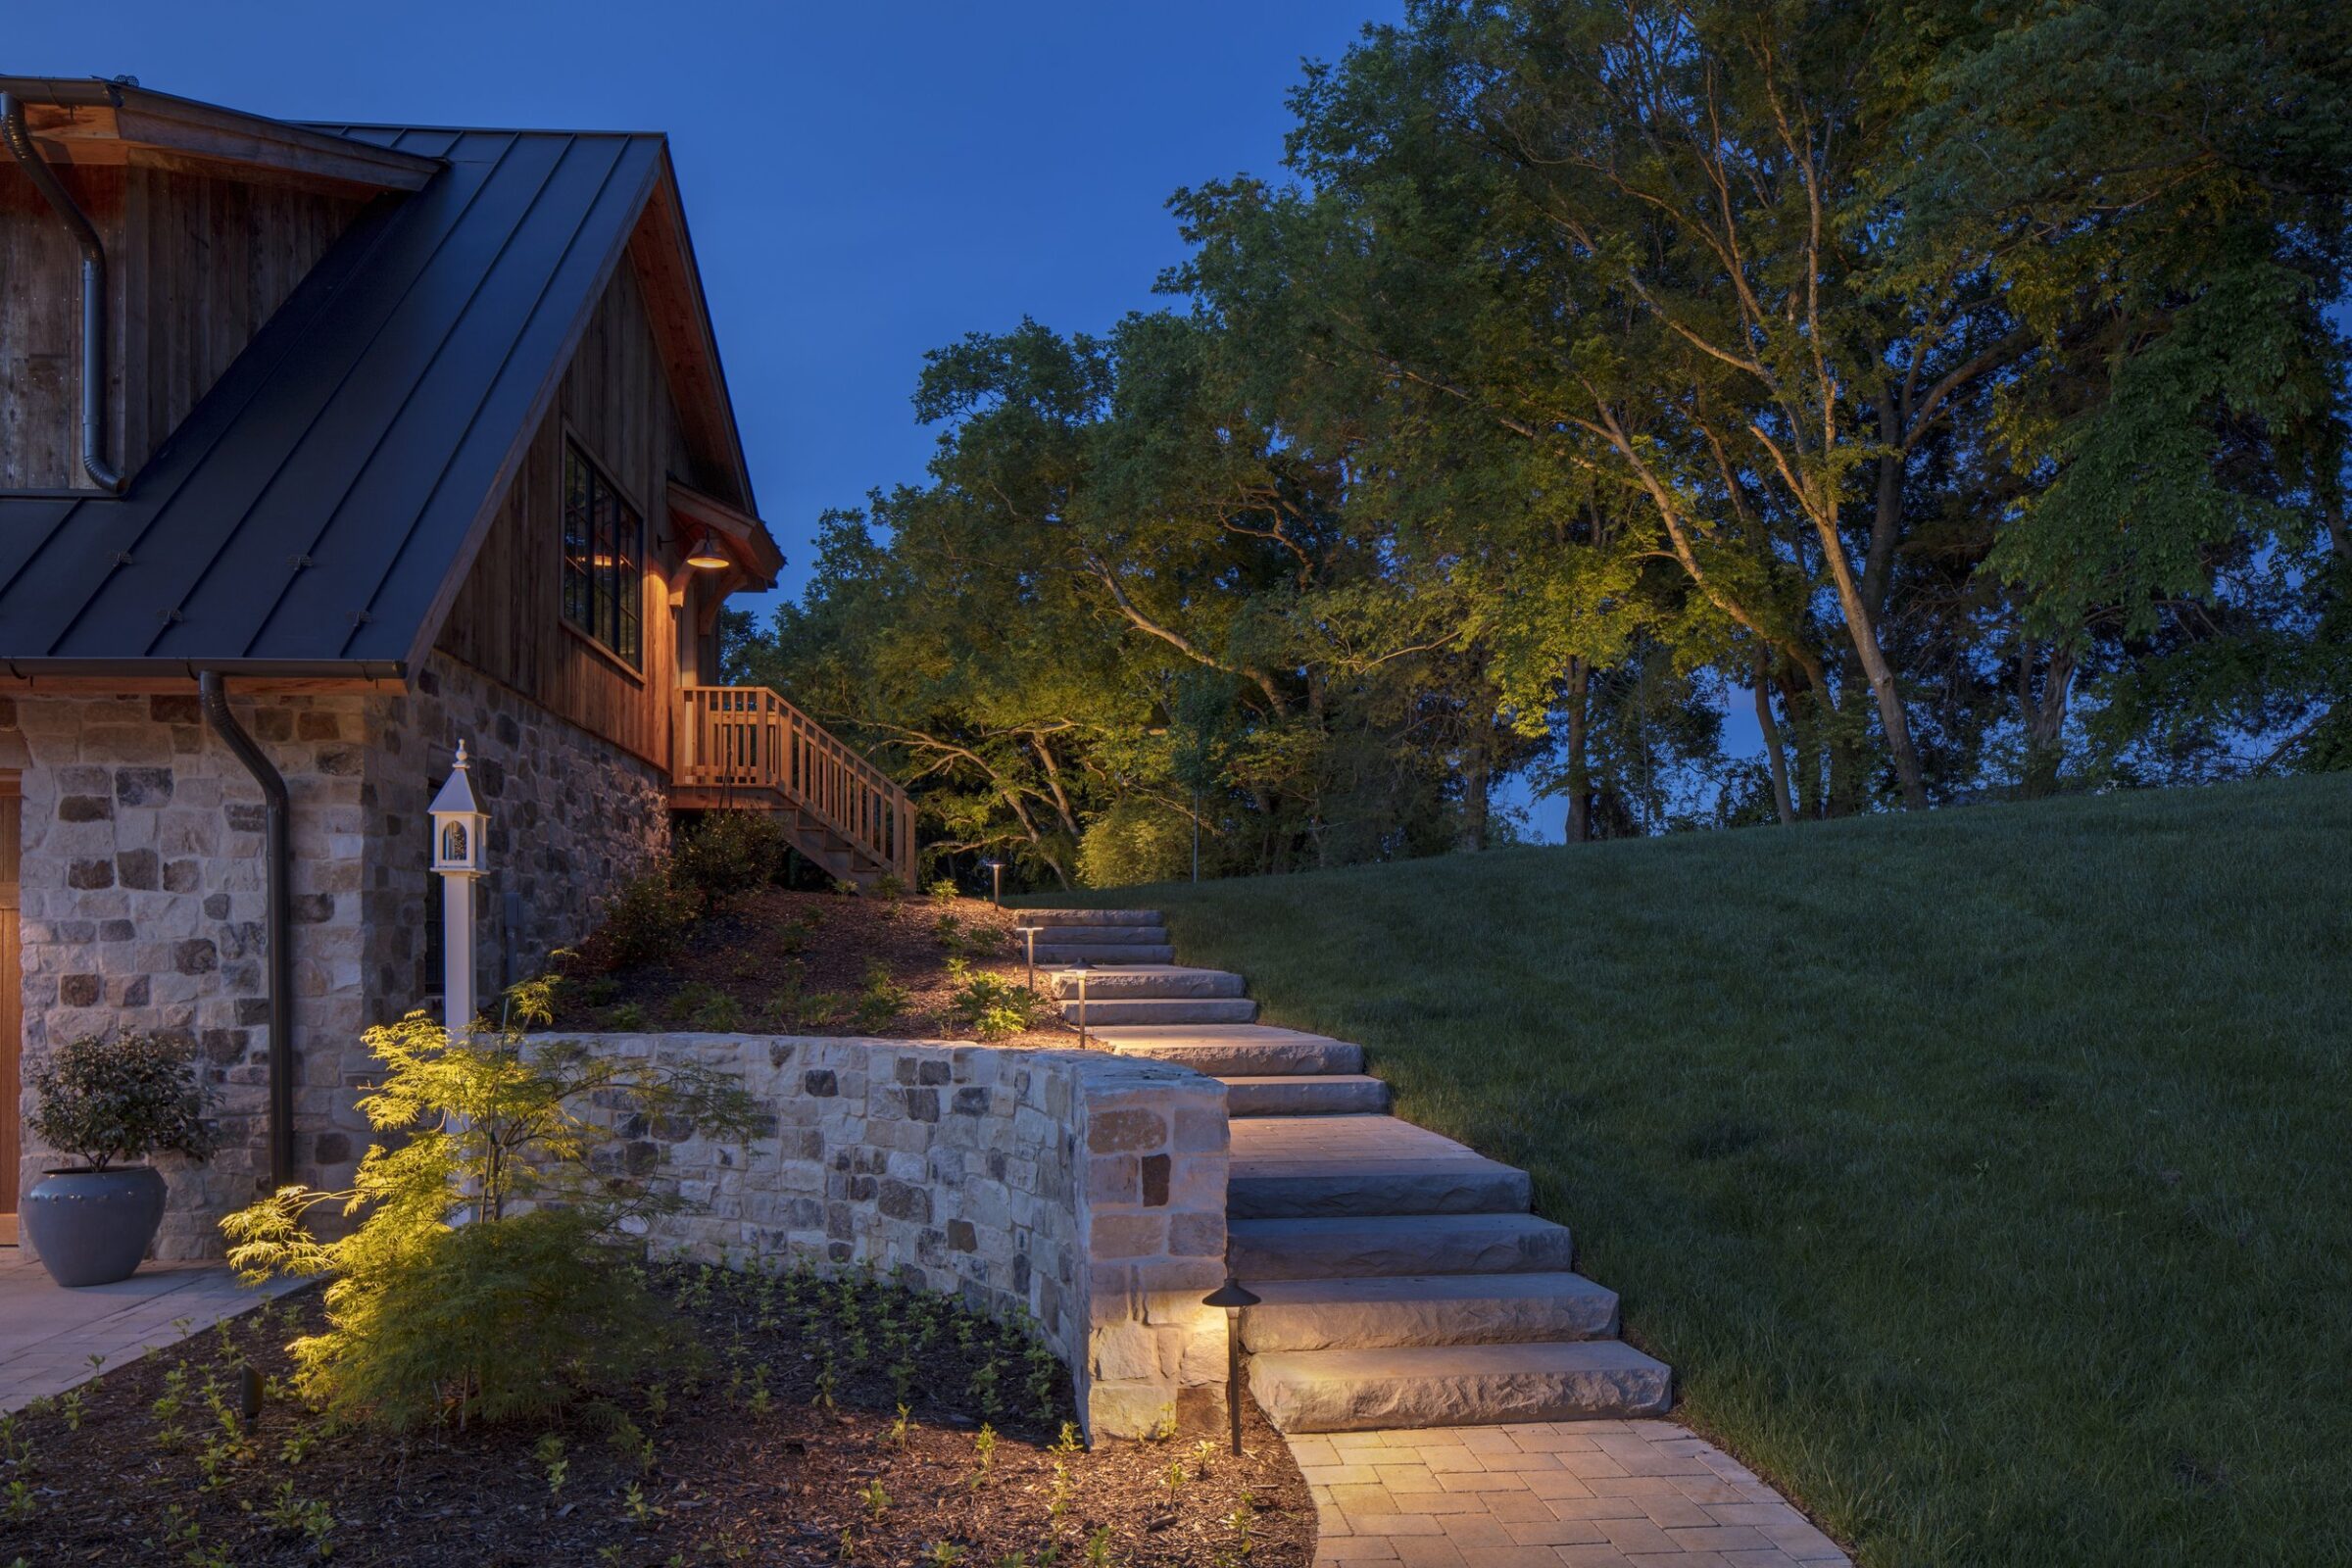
x=787 y=963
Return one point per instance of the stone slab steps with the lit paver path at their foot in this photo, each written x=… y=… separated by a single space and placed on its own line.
x=1452 y=1391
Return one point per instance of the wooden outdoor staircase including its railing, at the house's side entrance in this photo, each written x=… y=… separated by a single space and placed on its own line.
x=744 y=749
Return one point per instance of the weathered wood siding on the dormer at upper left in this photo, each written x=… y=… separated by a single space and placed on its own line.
x=194 y=267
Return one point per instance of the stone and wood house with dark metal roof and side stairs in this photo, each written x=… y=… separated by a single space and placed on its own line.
x=326 y=448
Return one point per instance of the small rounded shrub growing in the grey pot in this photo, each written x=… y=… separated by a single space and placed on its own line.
x=123 y=1099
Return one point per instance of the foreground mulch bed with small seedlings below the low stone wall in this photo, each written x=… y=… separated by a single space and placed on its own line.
x=747 y=1461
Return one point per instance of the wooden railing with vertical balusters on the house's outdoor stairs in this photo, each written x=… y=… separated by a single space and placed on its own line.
x=751 y=739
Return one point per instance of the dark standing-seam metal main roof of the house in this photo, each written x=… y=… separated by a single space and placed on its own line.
x=312 y=507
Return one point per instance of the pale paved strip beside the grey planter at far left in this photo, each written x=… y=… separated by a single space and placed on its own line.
x=48 y=1332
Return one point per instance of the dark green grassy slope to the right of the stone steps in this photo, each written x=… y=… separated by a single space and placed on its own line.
x=1984 y=1177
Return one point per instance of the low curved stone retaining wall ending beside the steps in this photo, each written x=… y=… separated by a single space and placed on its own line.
x=1078 y=1186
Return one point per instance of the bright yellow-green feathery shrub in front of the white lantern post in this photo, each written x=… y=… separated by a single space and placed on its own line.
x=490 y=1275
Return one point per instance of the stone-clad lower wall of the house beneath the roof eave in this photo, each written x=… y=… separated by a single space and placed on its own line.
x=142 y=880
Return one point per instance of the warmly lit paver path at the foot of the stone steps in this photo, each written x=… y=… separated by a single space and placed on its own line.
x=1589 y=1494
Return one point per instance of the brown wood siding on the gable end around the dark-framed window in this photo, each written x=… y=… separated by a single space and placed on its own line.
x=507 y=622
